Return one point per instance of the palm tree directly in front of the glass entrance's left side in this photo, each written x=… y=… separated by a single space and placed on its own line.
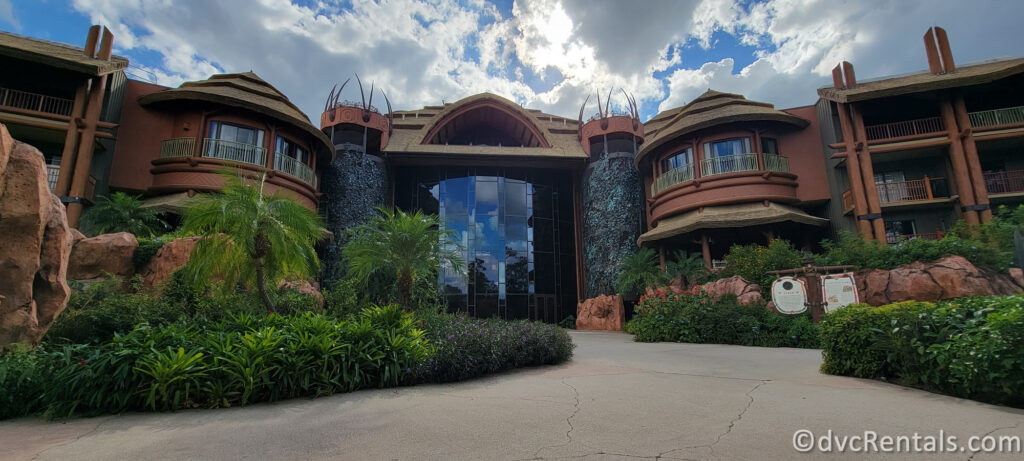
x=408 y=245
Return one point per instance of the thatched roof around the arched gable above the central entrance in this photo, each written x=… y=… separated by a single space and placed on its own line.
x=558 y=135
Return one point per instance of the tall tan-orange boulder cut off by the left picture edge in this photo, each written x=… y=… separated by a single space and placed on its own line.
x=36 y=249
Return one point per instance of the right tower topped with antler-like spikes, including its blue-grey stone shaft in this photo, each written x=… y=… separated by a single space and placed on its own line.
x=613 y=200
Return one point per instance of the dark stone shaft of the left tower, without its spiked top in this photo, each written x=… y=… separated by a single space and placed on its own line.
x=354 y=186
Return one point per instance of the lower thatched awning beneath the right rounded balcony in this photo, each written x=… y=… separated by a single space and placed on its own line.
x=729 y=217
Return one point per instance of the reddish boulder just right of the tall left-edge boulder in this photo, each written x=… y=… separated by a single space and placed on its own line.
x=109 y=254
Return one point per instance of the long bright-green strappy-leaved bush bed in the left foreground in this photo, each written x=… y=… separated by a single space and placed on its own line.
x=237 y=361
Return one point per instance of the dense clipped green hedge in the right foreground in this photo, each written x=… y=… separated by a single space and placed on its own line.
x=971 y=348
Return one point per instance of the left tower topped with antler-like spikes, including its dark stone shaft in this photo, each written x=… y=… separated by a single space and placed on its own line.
x=357 y=182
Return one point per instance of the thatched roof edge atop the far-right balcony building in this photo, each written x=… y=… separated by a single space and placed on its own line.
x=925 y=81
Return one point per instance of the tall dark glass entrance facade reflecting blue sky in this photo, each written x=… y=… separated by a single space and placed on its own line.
x=517 y=234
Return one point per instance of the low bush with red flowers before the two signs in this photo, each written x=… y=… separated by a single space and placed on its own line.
x=697 y=318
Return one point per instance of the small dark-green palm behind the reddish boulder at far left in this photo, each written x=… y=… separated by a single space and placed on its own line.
x=122 y=214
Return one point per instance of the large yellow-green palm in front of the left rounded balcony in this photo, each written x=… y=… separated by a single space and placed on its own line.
x=250 y=237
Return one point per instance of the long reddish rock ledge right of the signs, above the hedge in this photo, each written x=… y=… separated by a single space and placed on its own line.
x=950 y=278
